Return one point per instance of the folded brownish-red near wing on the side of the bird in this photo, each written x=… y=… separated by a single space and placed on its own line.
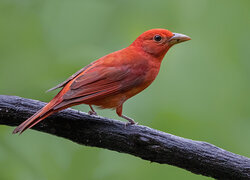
x=100 y=82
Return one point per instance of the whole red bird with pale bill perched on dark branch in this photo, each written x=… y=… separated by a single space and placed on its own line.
x=111 y=80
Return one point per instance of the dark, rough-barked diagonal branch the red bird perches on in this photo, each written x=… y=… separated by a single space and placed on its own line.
x=146 y=143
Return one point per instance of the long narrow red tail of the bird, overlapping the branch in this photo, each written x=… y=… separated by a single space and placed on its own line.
x=36 y=118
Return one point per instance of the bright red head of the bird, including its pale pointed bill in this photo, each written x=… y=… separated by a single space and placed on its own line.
x=158 y=41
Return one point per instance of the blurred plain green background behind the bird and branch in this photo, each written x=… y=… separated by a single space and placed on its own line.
x=202 y=91
